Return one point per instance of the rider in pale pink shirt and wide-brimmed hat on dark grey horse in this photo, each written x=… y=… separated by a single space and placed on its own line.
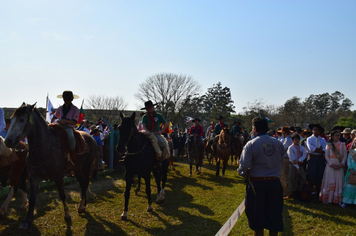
x=67 y=116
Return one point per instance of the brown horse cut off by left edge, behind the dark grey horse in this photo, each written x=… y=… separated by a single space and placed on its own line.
x=15 y=170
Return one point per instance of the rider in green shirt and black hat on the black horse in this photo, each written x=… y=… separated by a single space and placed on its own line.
x=154 y=123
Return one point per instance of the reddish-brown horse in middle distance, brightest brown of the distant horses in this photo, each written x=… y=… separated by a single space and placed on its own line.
x=222 y=150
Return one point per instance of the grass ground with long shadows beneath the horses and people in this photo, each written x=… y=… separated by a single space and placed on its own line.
x=197 y=205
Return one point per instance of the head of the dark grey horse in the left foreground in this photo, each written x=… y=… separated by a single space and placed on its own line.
x=21 y=124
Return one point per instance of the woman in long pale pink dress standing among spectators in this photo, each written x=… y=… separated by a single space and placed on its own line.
x=333 y=180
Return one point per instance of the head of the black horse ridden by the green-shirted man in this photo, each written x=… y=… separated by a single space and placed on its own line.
x=126 y=131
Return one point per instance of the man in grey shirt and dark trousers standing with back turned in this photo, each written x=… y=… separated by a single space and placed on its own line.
x=261 y=164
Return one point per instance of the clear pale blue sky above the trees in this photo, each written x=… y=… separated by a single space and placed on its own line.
x=267 y=50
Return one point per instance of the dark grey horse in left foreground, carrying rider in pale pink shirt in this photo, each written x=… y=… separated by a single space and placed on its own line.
x=47 y=158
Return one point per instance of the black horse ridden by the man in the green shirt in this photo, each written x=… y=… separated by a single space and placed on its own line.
x=140 y=160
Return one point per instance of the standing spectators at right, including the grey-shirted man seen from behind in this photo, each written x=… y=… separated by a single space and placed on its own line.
x=283 y=164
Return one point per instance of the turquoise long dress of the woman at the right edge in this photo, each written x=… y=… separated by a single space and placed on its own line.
x=349 y=194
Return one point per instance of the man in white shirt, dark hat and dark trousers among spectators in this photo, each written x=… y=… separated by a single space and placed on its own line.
x=315 y=146
